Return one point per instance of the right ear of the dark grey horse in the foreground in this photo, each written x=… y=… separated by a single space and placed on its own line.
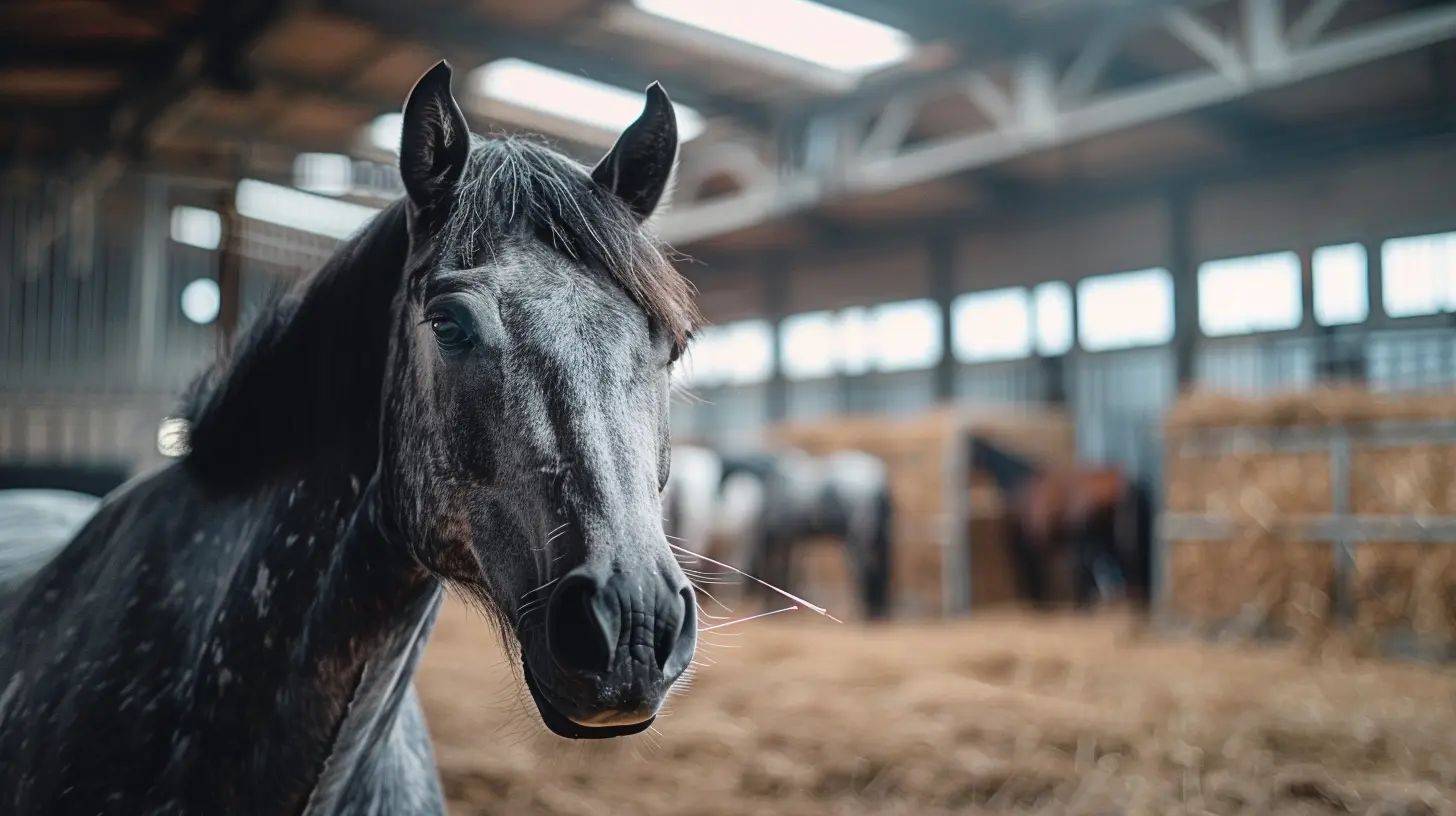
x=640 y=165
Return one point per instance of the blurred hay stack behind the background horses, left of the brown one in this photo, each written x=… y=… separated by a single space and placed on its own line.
x=917 y=451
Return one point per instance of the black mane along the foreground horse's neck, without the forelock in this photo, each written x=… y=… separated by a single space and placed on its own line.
x=304 y=381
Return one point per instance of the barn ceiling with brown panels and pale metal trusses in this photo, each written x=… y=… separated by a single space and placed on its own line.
x=231 y=88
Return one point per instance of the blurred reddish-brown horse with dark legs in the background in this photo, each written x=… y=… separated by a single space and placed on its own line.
x=1101 y=515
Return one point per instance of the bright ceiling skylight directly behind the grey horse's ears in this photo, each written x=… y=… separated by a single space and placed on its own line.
x=573 y=98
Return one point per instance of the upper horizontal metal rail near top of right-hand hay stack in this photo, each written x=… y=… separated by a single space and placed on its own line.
x=1308 y=439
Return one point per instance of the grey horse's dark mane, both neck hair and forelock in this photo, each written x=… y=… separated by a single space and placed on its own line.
x=305 y=381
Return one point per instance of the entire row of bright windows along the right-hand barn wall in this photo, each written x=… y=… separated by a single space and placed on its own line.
x=1119 y=311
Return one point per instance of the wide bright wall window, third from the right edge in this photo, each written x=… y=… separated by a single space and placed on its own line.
x=1250 y=295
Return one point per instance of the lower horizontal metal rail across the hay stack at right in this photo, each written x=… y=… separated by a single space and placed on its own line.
x=1317 y=528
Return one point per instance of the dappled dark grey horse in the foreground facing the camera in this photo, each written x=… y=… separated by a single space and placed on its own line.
x=470 y=396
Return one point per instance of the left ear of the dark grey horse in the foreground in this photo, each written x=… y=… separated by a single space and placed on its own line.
x=436 y=141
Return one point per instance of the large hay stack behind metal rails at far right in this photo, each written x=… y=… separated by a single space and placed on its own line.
x=1266 y=581
